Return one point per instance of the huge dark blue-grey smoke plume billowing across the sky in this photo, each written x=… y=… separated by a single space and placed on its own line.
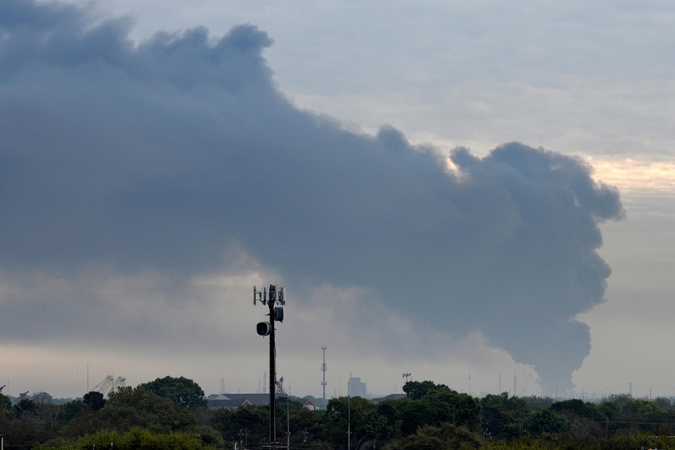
x=160 y=157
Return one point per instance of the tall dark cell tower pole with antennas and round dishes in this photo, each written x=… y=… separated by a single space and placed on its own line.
x=276 y=314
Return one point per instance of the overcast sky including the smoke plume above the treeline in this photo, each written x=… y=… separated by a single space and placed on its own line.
x=465 y=192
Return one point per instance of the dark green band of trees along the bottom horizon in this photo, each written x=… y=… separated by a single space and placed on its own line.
x=172 y=413
